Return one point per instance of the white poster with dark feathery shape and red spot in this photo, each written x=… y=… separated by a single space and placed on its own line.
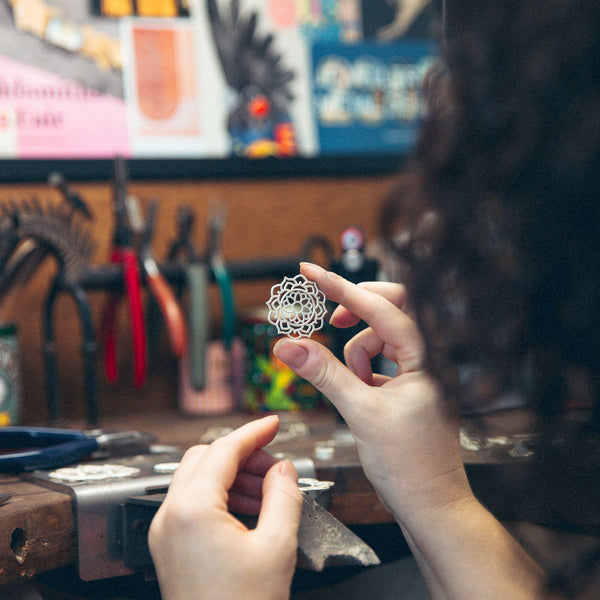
x=260 y=103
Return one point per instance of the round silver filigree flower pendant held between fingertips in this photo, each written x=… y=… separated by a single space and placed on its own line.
x=296 y=307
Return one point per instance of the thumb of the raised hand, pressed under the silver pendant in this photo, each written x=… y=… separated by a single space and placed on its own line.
x=319 y=366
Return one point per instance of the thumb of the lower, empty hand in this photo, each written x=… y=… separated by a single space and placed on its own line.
x=281 y=503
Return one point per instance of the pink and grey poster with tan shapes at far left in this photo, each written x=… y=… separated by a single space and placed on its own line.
x=60 y=82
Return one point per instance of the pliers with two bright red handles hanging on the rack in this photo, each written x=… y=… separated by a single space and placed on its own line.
x=123 y=253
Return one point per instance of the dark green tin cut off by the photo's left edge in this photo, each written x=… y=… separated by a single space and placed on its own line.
x=10 y=375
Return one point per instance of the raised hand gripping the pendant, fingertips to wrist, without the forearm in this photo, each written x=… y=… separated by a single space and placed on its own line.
x=407 y=435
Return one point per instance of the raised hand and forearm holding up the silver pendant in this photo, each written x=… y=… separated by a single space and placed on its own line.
x=408 y=440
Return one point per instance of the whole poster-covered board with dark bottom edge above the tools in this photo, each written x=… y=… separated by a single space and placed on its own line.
x=211 y=88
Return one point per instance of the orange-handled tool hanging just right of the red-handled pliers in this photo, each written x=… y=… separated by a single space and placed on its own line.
x=171 y=311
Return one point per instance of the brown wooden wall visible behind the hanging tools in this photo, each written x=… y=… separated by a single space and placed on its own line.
x=264 y=218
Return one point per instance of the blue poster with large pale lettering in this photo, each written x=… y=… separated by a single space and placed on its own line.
x=367 y=98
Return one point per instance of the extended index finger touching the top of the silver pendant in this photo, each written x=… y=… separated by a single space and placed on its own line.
x=385 y=318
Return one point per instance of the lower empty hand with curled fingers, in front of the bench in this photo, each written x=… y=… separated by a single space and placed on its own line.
x=200 y=550
